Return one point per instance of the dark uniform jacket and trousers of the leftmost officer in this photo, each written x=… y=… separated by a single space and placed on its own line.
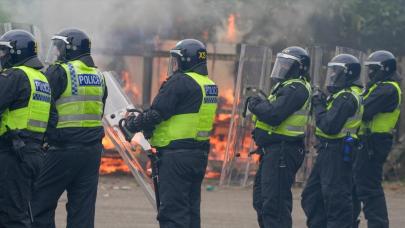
x=17 y=172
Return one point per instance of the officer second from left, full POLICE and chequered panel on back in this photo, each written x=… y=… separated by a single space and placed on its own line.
x=74 y=134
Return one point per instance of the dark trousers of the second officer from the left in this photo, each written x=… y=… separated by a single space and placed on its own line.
x=74 y=169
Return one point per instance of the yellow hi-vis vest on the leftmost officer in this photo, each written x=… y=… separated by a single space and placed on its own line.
x=34 y=117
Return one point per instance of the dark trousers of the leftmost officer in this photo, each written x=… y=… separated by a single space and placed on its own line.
x=16 y=183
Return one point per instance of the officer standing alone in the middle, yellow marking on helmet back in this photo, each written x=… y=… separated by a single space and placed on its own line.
x=179 y=124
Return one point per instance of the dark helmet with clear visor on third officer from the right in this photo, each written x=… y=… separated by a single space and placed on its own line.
x=292 y=62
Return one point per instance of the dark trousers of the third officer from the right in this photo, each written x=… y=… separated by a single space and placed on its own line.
x=272 y=197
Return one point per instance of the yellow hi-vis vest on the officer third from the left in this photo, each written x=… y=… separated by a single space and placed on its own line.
x=197 y=126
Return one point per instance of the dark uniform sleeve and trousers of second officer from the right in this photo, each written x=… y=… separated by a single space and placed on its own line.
x=326 y=199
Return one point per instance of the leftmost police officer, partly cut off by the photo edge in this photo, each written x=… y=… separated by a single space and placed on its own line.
x=24 y=112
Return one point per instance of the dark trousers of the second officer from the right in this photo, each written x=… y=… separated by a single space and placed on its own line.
x=327 y=196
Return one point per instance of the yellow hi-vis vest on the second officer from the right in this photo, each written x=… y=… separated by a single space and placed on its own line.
x=353 y=123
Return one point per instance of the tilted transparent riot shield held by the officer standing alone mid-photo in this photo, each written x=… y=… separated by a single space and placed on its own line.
x=134 y=153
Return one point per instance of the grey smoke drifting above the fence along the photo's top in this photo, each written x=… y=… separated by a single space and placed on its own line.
x=119 y=24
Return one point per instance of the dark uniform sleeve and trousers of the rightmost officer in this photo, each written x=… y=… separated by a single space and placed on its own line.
x=367 y=170
